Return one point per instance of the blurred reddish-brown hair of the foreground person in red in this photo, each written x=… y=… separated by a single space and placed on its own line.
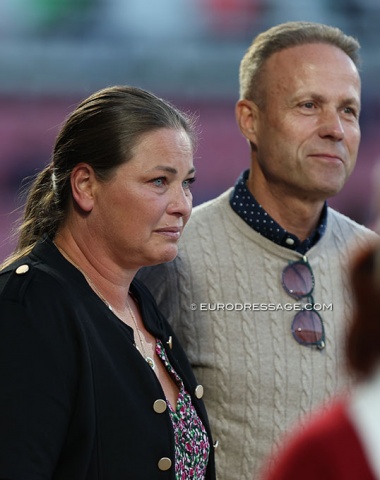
x=363 y=340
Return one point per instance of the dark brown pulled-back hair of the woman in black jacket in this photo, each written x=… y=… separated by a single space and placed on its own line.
x=102 y=132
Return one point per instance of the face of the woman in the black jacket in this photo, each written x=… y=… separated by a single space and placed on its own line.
x=140 y=213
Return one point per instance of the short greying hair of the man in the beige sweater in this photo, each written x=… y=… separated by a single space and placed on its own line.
x=280 y=37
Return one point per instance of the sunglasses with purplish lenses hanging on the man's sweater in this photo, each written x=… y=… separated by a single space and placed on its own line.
x=307 y=326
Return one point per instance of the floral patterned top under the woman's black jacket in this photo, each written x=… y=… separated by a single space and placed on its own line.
x=192 y=446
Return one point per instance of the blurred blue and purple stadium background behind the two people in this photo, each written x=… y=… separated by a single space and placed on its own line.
x=53 y=53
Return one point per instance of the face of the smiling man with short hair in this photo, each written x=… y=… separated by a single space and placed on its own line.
x=307 y=133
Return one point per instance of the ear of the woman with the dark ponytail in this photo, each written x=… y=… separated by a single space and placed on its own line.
x=83 y=182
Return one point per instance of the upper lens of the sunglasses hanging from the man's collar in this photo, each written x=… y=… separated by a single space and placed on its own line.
x=297 y=280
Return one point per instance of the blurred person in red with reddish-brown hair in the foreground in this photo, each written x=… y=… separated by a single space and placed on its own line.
x=341 y=442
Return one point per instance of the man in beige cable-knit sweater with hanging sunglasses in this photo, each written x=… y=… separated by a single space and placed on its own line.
x=259 y=292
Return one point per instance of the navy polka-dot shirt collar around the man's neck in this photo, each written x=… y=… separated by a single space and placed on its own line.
x=245 y=205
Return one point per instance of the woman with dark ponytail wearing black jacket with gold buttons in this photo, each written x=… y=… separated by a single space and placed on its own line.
x=93 y=383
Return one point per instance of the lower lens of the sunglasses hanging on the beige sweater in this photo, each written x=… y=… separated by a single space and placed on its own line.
x=307 y=328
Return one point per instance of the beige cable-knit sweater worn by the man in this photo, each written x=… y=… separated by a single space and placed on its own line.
x=217 y=294
